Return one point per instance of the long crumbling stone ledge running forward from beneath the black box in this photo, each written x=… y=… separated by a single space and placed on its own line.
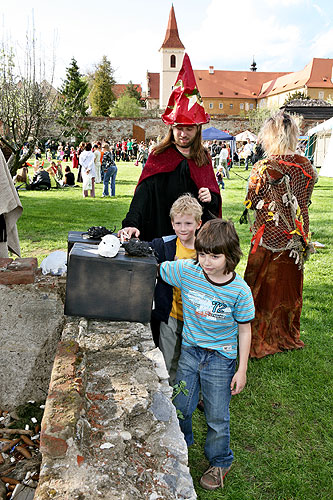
x=109 y=429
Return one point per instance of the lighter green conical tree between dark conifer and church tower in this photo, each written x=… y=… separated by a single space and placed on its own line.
x=101 y=95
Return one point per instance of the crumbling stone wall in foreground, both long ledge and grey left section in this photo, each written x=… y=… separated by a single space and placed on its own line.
x=109 y=429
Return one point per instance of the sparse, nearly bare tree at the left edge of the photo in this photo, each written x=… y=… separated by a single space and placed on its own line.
x=27 y=103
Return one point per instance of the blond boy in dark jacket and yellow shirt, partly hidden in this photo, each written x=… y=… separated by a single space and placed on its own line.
x=185 y=215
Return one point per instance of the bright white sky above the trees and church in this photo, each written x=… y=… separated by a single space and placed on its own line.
x=281 y=35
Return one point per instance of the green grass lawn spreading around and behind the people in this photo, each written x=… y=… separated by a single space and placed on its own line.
x=281 y=424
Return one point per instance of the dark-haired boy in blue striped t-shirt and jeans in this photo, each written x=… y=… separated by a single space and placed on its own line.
x=217 y=309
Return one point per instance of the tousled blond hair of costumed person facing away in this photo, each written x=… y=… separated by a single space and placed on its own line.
x=279 y=134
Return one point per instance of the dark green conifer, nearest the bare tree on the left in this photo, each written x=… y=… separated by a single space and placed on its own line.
x=73 y=103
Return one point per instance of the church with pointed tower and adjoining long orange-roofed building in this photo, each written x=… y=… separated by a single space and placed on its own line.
x=235 y=93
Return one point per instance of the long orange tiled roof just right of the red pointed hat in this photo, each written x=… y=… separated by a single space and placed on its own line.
x=232 y=84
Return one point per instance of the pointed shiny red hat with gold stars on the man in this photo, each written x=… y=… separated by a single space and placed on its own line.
x=185 y=106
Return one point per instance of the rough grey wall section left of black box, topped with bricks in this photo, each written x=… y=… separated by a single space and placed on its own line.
x=31 y=322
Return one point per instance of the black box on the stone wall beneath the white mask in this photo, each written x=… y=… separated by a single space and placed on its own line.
x=119 y=288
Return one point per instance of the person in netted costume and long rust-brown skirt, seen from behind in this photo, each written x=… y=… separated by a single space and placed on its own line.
x=279 y=192
